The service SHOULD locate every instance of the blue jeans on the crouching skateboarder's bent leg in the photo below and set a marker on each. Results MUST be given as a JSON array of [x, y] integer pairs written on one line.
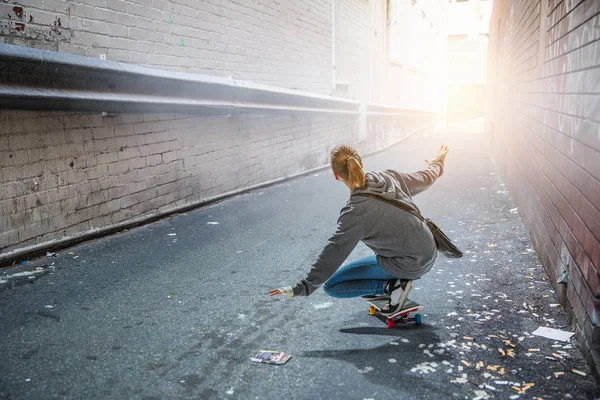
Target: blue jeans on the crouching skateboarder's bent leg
[[358, 278]]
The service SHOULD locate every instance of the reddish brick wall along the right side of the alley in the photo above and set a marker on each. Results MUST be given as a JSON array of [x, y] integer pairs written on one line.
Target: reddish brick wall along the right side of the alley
[[544, 114]]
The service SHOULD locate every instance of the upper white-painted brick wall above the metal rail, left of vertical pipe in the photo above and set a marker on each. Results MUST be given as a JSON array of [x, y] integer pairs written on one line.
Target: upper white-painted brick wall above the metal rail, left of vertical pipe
[[286, 44]]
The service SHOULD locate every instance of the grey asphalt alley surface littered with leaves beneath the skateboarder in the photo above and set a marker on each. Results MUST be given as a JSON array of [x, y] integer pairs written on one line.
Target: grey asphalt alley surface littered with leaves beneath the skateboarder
[[175, 309]]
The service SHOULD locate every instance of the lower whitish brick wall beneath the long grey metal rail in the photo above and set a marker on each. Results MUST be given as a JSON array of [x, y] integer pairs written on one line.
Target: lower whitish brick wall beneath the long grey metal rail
[[60, 179]]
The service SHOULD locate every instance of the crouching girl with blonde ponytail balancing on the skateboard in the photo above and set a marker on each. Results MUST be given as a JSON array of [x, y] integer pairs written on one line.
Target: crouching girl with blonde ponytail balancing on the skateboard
[[404, 247]]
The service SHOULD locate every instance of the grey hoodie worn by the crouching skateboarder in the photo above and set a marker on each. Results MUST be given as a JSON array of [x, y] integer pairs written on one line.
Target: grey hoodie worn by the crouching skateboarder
[[403, 244]]
